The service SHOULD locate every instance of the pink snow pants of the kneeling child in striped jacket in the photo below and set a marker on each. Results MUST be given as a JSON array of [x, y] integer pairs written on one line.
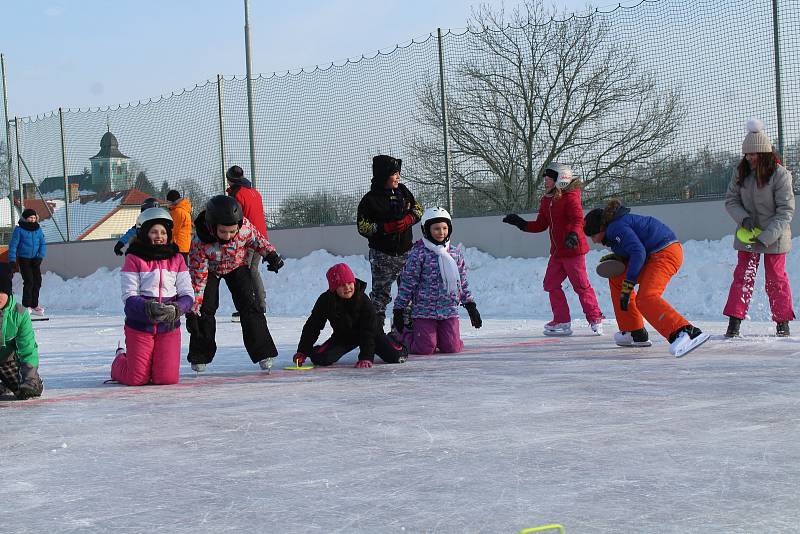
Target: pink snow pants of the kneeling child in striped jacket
[[149, 358]]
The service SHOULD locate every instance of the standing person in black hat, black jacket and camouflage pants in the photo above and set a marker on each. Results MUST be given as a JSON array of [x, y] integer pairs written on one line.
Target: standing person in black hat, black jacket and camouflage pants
[[385, 217]]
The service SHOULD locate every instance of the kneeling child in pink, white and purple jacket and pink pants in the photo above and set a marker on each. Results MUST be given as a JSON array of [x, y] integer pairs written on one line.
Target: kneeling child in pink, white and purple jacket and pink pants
[[157, 291]]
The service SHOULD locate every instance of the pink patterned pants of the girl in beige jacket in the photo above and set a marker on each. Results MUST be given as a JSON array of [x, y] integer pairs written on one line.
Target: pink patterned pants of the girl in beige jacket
[[779, 292]]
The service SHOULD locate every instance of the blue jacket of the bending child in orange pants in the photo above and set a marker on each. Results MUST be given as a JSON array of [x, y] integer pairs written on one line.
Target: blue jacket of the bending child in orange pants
[[635, 237]]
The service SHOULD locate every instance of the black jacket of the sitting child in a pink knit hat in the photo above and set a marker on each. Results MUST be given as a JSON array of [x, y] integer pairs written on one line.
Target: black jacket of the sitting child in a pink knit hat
[[352, 320]]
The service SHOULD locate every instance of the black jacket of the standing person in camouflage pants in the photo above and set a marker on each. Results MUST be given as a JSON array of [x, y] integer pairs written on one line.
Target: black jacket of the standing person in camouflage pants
[[380, 206]]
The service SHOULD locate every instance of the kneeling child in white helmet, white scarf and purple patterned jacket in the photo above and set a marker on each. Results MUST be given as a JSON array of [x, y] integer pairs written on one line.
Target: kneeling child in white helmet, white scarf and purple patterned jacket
[[434, 282]]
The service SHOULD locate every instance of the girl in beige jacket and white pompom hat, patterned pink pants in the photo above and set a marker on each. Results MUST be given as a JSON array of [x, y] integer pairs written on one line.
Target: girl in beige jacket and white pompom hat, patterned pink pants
[[760, 196]]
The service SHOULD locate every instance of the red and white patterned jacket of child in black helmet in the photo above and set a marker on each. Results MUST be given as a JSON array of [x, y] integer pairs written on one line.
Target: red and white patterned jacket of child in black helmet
[[209, 255]]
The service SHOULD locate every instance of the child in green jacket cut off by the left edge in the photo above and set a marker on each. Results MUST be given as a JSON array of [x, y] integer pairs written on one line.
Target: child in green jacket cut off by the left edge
[[19, 353]]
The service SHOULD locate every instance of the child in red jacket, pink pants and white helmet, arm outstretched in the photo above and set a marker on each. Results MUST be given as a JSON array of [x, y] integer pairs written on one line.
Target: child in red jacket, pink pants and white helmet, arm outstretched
[[561, 212]]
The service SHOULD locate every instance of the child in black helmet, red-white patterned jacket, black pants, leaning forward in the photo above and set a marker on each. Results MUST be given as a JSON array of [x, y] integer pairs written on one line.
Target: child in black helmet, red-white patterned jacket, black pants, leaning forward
[[220, 250]]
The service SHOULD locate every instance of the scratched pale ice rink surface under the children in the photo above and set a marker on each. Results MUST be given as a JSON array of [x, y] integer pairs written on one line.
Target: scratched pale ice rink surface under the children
[[518, 430]]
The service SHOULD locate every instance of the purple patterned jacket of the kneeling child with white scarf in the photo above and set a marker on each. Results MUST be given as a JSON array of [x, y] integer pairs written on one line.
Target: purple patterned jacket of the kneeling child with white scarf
[[421, 285]]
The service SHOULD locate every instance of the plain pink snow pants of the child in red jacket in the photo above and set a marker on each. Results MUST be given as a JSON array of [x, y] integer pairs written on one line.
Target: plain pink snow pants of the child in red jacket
[[574, 268]]
